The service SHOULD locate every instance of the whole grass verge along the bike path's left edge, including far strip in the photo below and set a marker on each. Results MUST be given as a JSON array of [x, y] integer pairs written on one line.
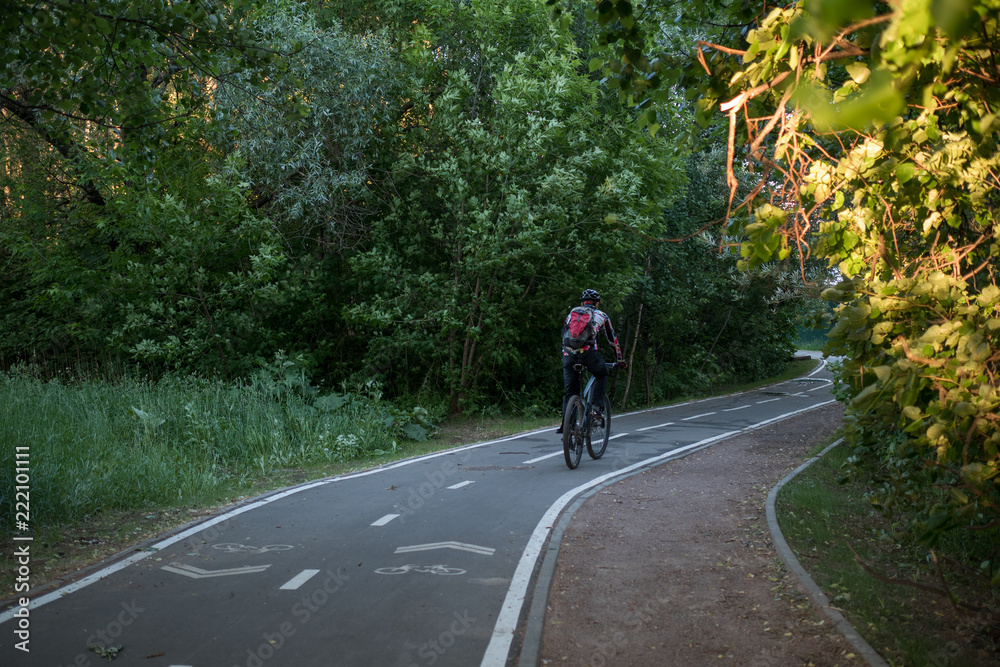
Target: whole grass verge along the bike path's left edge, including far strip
[[113, 465]]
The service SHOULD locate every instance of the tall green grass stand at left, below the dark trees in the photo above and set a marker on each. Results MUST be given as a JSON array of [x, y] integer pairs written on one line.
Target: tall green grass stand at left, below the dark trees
[[98, 445]]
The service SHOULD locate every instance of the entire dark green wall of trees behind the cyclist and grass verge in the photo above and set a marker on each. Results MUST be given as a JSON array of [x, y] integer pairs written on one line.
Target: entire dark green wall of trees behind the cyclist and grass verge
[[409, 206]]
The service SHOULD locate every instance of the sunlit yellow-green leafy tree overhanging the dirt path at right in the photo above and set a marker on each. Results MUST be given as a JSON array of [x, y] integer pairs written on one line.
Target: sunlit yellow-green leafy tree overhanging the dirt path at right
[[880, 122]]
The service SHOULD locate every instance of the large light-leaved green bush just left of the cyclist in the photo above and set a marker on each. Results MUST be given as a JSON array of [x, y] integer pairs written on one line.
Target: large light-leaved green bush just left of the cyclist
[[507, 201]]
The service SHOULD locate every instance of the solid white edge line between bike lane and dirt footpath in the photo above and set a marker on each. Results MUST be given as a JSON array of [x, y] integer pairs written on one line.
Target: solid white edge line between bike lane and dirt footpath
[[506, 625]]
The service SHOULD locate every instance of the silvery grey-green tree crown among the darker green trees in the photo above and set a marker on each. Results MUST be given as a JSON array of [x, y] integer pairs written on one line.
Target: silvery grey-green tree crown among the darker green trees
[[311, 143]]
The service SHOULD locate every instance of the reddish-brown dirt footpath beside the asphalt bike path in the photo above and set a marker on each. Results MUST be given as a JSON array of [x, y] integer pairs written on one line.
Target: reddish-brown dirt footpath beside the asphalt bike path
[[676, 567]]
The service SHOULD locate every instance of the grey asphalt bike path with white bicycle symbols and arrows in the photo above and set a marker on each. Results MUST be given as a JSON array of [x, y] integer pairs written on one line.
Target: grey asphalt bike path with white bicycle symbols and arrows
[[429, 561]]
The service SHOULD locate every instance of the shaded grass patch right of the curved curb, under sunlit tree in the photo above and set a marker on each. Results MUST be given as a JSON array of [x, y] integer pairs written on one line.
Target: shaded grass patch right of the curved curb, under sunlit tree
[[823, 517]]
